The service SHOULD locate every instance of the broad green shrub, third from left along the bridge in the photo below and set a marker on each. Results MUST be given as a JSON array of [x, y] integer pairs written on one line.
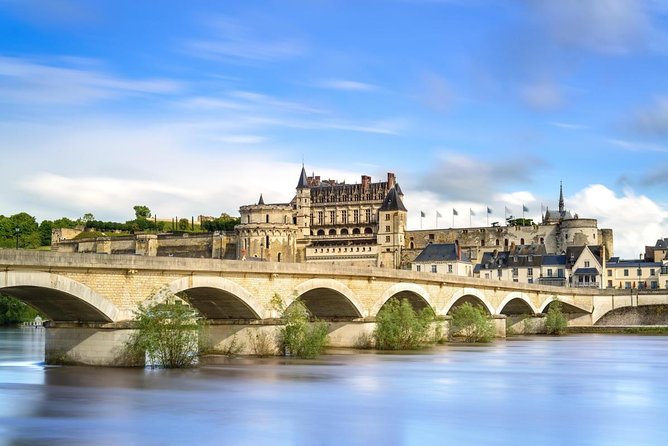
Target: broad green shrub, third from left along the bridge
[[400, 327]]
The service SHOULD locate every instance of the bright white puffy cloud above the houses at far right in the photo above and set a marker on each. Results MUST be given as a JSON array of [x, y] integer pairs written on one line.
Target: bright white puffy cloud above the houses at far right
[[635, 219]]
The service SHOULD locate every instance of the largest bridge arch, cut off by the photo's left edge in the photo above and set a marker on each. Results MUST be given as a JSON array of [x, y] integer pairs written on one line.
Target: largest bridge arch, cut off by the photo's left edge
[[59, 297]]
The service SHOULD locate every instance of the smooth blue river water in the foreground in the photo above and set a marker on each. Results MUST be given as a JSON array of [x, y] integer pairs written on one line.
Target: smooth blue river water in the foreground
[[574, 390]]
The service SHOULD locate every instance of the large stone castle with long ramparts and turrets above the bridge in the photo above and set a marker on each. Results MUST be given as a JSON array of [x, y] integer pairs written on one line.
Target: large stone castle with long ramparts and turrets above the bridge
[[362, 224]]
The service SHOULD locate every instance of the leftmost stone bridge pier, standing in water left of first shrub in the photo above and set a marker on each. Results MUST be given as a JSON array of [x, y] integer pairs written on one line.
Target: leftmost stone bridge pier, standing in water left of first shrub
[[88, 344]]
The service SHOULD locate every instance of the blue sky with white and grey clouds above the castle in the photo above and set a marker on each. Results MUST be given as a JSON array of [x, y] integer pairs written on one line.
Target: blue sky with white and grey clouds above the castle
[[196, 108]]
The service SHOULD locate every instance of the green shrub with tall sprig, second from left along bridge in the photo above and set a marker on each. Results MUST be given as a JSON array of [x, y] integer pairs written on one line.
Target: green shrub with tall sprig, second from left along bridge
[[298, 336]]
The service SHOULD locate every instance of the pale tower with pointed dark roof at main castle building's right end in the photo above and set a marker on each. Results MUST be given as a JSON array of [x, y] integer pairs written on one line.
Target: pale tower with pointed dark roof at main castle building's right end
[[391, 229]]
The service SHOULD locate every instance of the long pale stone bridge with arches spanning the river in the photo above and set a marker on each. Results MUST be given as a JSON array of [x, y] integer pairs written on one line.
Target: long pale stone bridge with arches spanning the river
[[101, 291]]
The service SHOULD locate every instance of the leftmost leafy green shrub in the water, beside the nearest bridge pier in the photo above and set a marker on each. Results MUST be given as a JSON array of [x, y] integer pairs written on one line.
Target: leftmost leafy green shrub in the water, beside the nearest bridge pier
[[167, 334]]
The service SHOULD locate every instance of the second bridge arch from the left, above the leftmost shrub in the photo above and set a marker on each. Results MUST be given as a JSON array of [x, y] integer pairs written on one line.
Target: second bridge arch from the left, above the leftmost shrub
[[216, 297]]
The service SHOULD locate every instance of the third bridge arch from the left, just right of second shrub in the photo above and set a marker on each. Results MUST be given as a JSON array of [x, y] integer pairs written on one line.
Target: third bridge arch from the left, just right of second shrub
[[329, 298]]
